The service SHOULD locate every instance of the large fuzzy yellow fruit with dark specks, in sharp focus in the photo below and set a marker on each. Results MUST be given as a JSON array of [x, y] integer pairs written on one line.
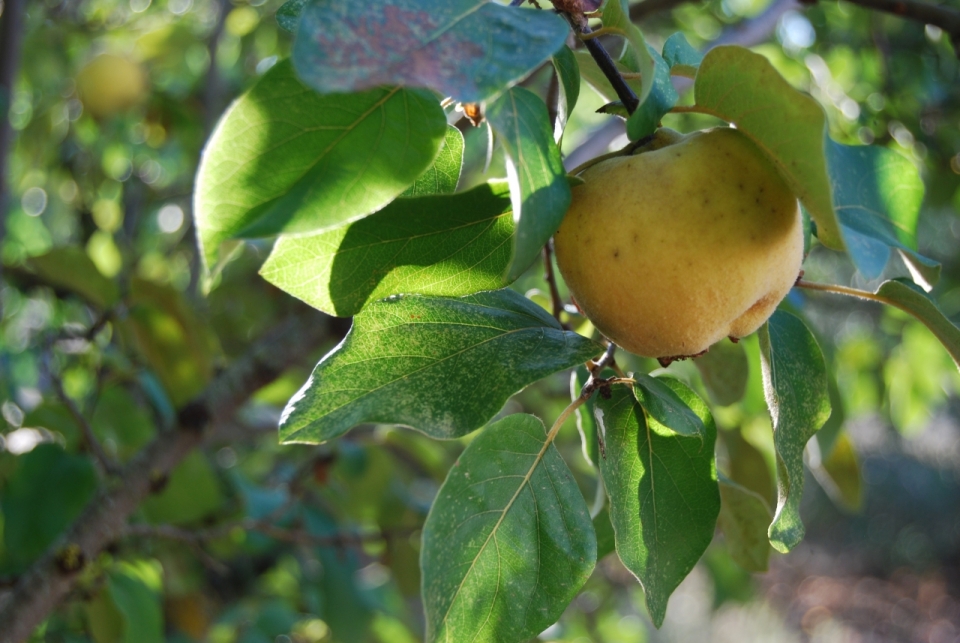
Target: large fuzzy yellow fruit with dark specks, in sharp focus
[[673, 249]]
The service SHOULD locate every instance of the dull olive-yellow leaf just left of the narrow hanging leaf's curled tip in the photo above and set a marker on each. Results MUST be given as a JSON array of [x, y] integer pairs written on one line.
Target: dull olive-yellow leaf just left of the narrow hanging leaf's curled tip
[[744, 518]]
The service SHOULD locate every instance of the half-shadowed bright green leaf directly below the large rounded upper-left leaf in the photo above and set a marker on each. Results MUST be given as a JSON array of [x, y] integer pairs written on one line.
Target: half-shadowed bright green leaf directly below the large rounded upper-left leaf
[[433, 245]]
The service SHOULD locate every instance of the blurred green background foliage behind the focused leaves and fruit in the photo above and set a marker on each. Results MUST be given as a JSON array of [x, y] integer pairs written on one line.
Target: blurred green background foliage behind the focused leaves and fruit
[[249, 541]]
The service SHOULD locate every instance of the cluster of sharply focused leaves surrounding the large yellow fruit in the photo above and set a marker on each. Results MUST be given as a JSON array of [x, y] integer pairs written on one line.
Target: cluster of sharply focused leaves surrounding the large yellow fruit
[[360, 188]]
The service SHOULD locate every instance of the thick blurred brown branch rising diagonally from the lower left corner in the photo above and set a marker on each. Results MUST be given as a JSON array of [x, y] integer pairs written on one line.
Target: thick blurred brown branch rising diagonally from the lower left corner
[[50, 579]]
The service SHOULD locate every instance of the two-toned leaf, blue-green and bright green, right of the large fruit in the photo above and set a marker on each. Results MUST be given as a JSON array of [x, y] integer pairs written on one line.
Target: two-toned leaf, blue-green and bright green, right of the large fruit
[[877, 195]]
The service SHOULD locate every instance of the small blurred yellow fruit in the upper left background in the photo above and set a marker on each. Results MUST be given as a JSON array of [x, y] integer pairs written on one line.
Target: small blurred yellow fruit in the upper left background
[[110, 84]]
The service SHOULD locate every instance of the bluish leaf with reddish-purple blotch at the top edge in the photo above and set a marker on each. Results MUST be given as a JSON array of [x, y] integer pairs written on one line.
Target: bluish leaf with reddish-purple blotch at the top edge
[[453, 46]]
